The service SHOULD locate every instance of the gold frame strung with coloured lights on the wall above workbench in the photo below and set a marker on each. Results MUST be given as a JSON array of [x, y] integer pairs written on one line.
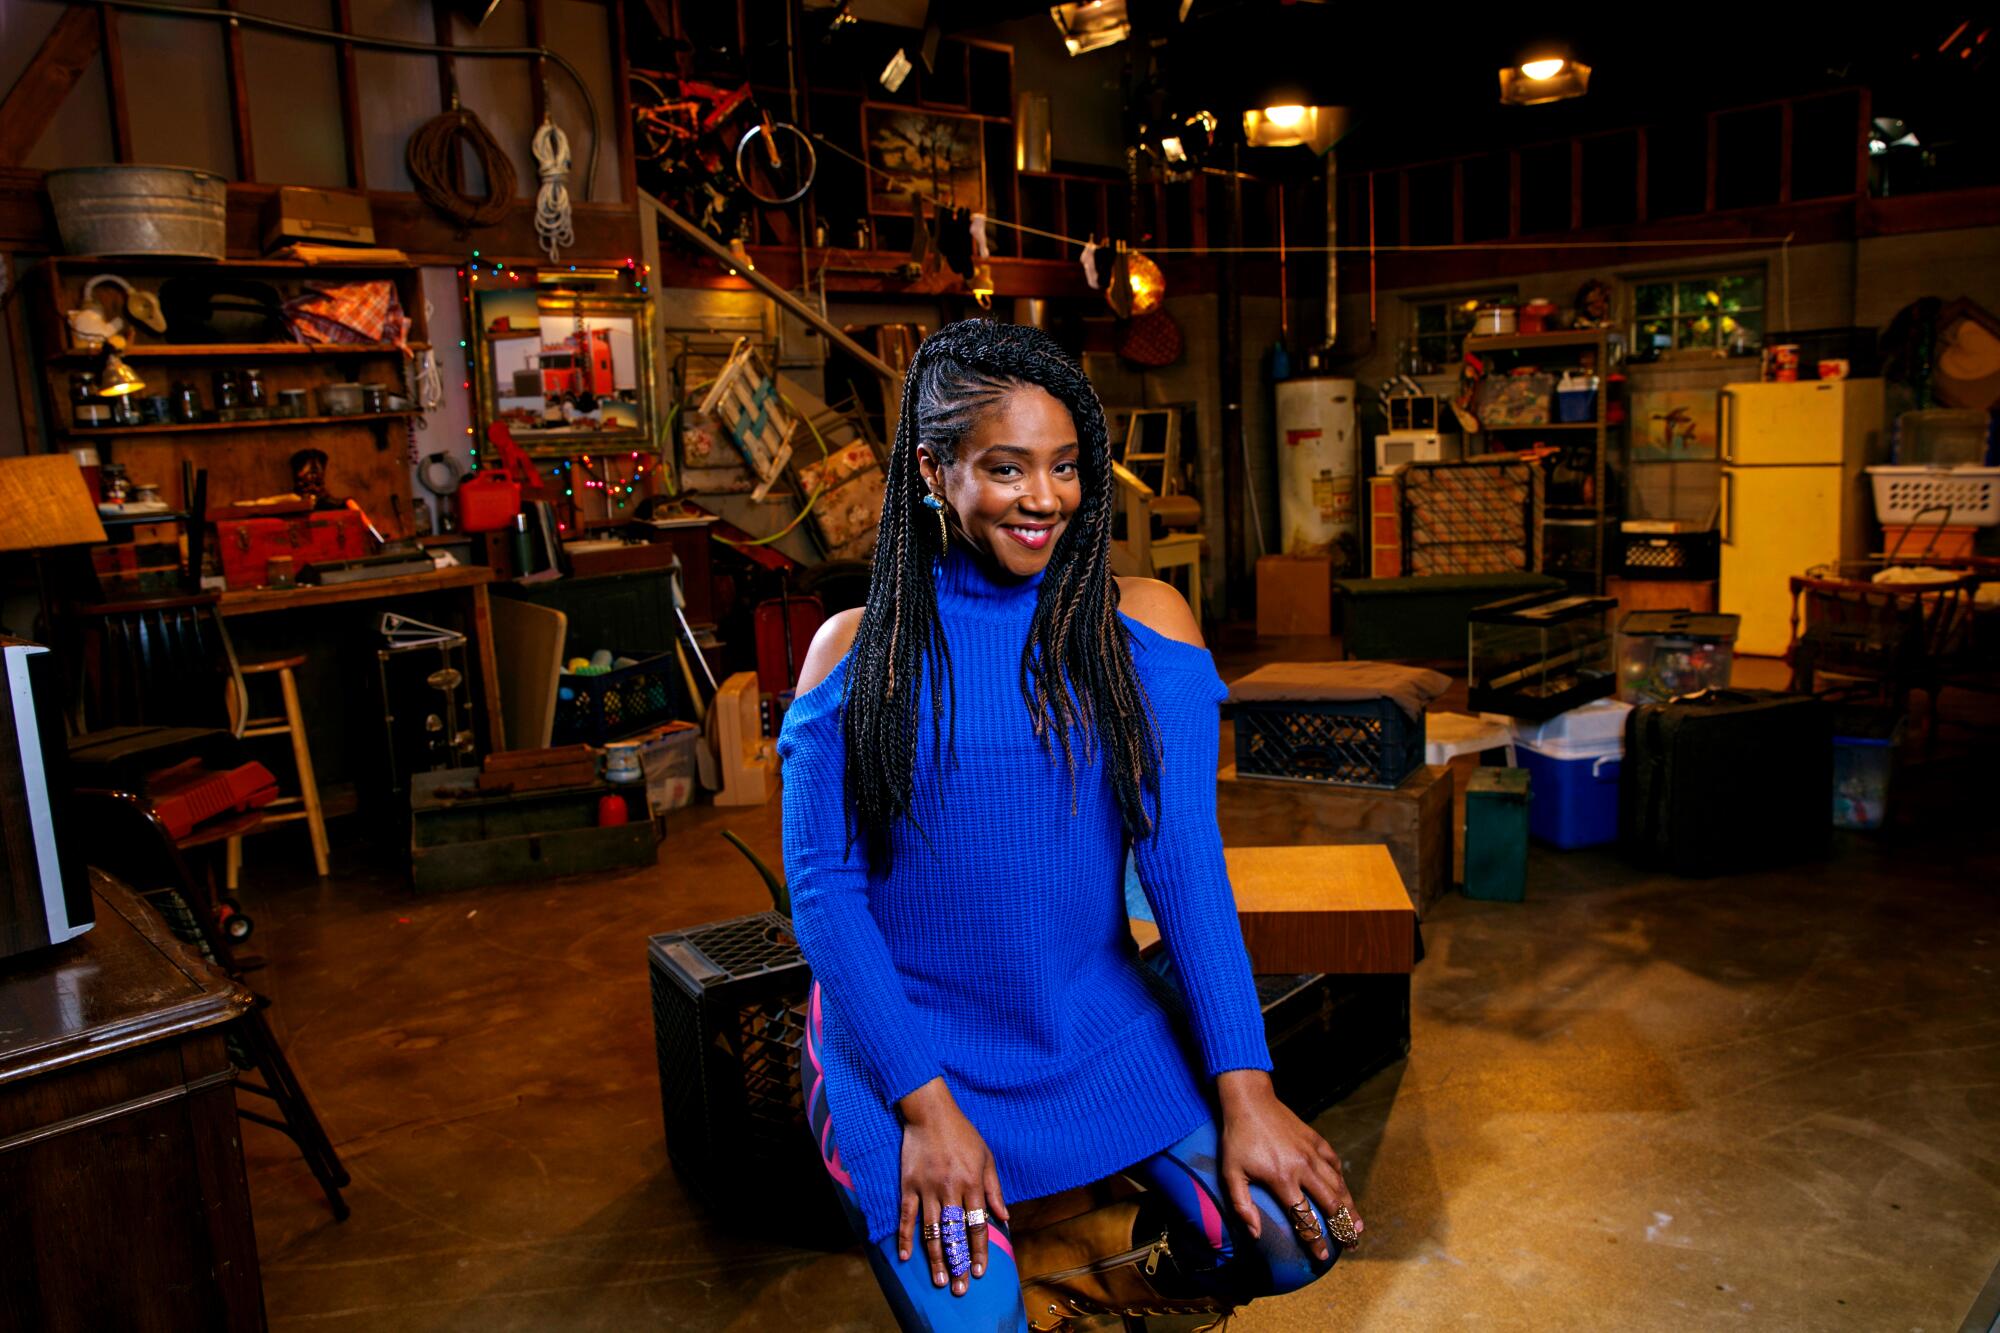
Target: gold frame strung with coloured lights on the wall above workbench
[[569, 373]]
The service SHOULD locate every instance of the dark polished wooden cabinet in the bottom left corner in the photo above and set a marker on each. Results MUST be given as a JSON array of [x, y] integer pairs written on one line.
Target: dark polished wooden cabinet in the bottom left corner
[[123, 1194]]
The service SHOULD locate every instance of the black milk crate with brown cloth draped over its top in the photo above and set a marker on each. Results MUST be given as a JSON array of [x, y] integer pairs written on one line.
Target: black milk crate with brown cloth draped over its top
[[1347, 744]]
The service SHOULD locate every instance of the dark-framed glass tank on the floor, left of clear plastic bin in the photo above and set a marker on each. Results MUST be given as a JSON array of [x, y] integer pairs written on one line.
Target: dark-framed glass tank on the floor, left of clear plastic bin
[[1541, 655]]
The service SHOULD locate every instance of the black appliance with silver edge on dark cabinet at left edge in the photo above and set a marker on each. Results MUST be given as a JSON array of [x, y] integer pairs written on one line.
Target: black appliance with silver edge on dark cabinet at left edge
[[45, 890]]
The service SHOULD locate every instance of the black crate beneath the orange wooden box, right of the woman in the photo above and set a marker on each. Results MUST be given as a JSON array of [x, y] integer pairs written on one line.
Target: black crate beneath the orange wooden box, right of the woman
[[1329, 1034]]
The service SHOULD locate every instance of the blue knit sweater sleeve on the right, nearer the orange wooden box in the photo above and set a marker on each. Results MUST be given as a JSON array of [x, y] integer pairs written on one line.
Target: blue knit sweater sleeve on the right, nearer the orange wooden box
[[1183, 872]]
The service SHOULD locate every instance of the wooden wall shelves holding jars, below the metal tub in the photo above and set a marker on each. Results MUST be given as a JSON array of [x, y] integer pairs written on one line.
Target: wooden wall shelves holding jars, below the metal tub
[[245, 459]]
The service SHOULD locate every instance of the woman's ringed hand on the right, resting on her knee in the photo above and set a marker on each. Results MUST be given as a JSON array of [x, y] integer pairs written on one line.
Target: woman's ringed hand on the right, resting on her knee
[[1263, 1142]]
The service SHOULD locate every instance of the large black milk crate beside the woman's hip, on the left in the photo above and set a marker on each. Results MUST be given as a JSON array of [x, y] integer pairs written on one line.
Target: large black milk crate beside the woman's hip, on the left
[[729, 1014]]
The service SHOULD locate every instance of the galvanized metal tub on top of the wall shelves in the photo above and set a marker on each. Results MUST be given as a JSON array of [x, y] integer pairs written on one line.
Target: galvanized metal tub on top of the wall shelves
[[139, 211]]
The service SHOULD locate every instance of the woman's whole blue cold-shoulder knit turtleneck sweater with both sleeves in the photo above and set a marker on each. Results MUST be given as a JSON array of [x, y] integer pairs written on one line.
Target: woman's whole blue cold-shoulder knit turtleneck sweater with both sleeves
[[997, 954]]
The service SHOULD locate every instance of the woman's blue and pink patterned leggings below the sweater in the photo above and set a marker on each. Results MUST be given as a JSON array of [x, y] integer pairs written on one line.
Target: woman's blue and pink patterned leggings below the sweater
[[1185, 1196]]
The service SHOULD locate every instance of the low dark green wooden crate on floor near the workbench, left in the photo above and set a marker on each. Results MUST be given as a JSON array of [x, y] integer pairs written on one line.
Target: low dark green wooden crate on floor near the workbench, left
[[465, 842]]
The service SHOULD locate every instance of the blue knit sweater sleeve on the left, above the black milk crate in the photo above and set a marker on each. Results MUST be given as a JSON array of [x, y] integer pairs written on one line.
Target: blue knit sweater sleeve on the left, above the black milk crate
[[829, 886]]
